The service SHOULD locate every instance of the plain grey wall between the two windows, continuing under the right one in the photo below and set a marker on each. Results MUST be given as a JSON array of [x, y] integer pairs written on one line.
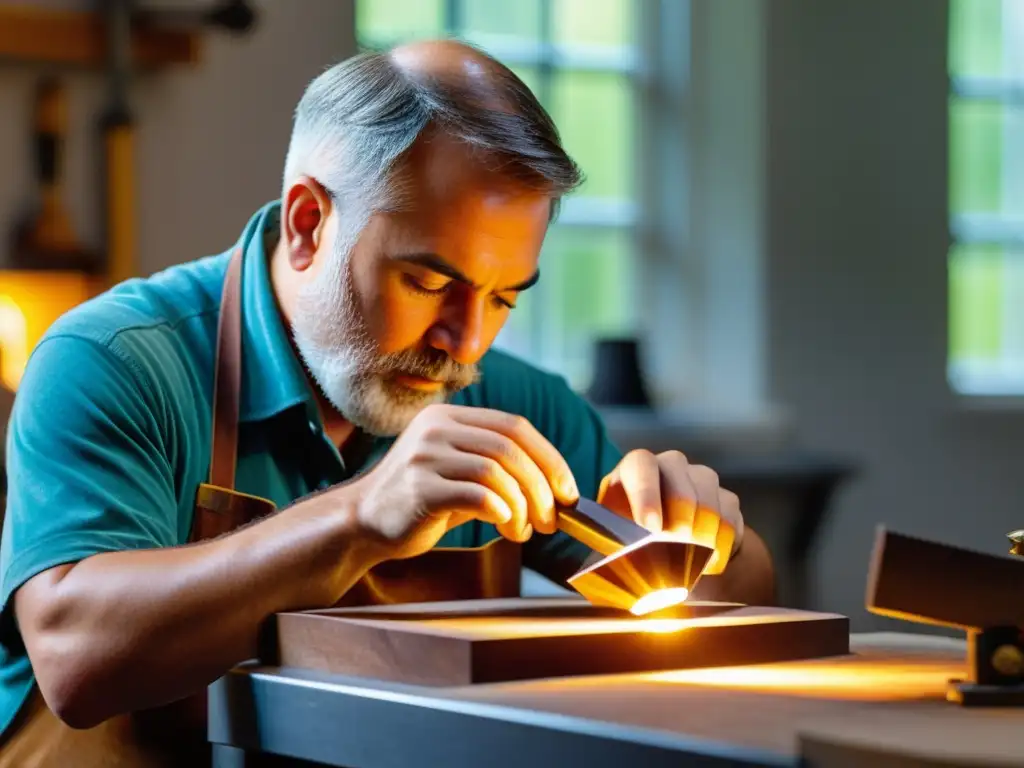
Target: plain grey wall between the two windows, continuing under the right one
[[858, 238]]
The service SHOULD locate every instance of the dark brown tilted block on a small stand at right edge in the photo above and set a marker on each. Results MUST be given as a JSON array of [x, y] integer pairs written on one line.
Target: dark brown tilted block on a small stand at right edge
[[940, 584]]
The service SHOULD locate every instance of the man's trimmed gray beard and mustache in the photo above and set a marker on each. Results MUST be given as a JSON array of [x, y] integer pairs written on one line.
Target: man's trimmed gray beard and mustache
[[342, 356]]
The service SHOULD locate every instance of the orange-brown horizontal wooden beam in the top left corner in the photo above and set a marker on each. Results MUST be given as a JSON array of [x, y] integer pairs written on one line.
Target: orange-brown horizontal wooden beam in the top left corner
[[79, 39]]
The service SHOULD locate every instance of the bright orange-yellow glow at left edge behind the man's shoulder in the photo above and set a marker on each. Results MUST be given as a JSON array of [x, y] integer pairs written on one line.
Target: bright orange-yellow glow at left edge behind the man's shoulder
[[30, 303]]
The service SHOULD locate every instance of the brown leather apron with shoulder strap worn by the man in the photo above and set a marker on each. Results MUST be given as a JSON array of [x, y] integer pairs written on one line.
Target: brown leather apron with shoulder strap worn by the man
[[176, 736]]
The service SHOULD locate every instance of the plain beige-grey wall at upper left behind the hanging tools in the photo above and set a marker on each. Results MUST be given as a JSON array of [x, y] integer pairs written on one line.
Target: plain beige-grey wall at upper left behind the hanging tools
[[211, 142]]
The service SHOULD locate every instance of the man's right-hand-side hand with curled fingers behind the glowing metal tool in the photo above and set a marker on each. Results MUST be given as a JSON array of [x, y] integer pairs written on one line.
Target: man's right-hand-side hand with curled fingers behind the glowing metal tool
[[667, 493]]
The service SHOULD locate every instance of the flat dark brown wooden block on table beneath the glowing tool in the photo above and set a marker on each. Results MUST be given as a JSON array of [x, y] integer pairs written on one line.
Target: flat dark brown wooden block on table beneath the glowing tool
[[487, 642]]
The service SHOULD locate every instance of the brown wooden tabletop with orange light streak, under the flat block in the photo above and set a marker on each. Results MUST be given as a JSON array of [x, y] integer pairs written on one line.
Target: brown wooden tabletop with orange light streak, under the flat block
[[884, 705]]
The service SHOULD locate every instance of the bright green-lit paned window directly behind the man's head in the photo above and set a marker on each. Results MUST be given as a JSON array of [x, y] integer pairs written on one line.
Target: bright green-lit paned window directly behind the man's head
[[580, 59]]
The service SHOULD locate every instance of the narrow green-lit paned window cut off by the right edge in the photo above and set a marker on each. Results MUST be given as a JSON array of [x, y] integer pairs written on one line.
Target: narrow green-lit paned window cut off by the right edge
[[987, 197]]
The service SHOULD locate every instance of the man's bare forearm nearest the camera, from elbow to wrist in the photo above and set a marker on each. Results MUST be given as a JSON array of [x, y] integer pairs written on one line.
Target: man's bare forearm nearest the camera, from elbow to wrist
[[123, 631]]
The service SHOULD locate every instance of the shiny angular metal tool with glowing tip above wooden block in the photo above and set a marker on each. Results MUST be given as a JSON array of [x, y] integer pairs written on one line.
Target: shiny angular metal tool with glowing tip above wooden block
[[642, 572]]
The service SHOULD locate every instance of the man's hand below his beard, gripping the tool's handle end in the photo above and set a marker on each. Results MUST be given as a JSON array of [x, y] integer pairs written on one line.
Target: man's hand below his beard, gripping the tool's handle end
[[454, 464]]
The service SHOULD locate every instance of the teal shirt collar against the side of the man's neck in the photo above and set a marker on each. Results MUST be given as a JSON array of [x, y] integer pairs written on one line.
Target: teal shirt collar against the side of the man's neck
[[274, 380]]
